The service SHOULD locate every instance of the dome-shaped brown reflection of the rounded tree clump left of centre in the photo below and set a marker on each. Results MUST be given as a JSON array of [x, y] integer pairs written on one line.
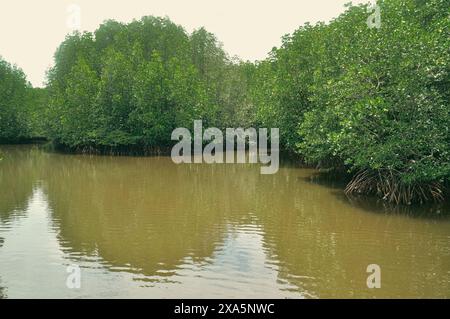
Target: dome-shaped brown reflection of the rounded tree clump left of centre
[[143, 214]]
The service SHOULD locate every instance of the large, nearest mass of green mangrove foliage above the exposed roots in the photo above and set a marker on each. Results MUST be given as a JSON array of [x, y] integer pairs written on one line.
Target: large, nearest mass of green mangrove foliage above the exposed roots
[[369, 99]]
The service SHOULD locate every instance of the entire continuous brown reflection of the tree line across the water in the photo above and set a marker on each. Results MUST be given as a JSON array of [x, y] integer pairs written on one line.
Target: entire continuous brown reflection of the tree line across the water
[[148, 215]]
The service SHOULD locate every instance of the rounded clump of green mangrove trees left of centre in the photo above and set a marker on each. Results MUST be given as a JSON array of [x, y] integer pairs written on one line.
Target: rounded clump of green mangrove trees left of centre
[[131, 85]]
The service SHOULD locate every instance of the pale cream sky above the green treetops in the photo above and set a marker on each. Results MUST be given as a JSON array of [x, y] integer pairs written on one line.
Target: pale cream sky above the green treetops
[[31, 30]]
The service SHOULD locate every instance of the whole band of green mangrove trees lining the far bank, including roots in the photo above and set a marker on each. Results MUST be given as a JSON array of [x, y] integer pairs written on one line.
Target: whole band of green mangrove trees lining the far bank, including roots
[[374, 102]]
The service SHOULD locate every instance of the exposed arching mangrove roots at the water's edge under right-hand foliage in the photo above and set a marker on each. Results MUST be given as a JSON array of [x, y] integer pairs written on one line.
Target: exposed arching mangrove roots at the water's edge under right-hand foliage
[[388, 185]]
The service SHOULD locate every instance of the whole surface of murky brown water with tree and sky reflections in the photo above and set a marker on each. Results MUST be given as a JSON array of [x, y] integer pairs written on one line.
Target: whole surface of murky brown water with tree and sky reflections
[[147, 228]]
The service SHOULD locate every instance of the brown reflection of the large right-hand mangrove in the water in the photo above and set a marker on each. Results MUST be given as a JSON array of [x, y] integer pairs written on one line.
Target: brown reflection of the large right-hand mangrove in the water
[[324, 245]]
